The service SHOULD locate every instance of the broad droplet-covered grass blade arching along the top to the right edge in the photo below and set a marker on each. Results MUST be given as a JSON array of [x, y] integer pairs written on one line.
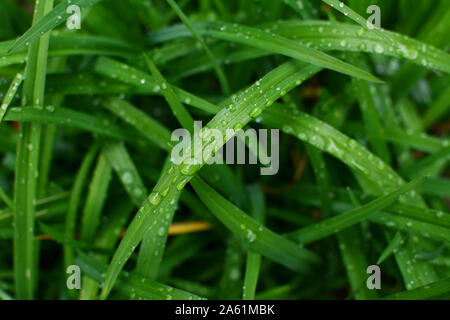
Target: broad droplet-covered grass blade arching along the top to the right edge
[[338, 36]]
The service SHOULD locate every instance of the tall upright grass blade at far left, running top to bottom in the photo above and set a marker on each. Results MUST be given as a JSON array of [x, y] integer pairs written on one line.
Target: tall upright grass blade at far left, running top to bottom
[[27, 166]]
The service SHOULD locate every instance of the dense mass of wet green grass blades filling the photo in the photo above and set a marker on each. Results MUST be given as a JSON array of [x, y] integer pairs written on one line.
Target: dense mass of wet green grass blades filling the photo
[[86, 179]]
